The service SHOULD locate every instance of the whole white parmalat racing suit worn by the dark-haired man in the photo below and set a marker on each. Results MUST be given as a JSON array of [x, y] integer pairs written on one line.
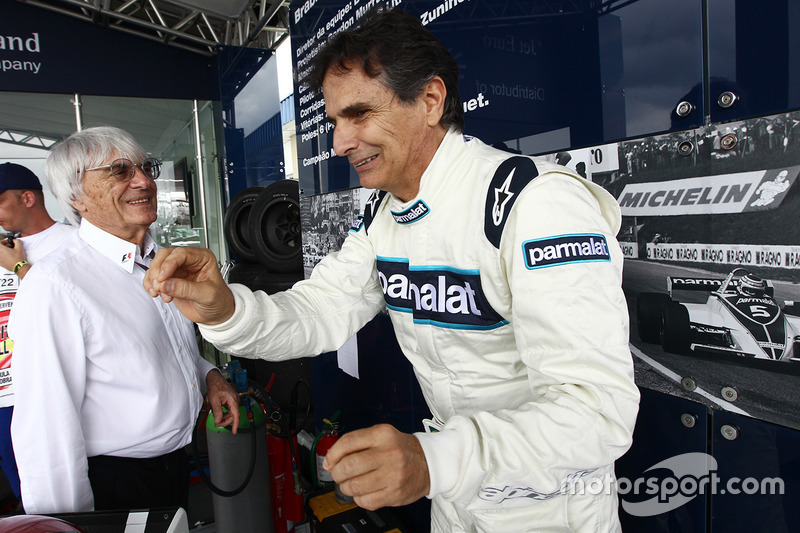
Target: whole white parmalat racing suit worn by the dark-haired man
[[503, 282]]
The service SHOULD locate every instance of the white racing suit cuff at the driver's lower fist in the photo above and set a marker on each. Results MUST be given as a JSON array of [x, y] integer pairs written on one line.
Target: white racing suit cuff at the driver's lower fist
[[443, 452]]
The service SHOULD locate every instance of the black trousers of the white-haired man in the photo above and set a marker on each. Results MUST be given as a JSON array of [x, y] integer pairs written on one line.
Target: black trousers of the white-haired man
[[125, 483]]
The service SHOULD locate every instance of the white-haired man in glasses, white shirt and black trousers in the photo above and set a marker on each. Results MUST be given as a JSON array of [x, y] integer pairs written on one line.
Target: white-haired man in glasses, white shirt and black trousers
[[109, 386]]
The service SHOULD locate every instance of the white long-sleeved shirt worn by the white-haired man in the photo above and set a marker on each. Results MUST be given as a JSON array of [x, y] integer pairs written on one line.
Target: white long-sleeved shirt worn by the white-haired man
[[100, 368]]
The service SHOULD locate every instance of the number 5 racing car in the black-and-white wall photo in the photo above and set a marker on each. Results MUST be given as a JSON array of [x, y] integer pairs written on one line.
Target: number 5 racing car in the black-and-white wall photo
[[740, 317]]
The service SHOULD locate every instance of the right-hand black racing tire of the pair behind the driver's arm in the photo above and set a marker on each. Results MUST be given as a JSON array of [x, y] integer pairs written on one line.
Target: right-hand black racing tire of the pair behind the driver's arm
[[275, 226]]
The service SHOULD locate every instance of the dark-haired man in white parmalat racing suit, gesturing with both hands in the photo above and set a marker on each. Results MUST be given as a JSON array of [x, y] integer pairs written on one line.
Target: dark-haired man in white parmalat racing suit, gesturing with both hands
[[502, 277]]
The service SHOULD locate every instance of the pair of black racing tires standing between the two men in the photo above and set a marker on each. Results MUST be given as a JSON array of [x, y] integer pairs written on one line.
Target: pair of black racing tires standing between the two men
[[262, 229]]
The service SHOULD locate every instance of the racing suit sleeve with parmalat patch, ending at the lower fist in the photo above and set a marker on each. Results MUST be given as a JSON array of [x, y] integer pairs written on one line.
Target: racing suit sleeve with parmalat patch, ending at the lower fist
[[570, 324]]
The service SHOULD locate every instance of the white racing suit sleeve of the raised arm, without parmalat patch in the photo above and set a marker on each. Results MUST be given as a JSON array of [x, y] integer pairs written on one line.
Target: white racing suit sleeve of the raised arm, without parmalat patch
[[317, 315]]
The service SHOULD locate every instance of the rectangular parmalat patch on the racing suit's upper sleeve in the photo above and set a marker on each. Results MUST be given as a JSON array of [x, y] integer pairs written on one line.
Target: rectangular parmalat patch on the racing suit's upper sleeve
[[562, 249]]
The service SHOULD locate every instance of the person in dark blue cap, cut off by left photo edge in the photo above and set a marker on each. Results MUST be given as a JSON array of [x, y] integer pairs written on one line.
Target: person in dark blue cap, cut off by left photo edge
[[31, 235]]
